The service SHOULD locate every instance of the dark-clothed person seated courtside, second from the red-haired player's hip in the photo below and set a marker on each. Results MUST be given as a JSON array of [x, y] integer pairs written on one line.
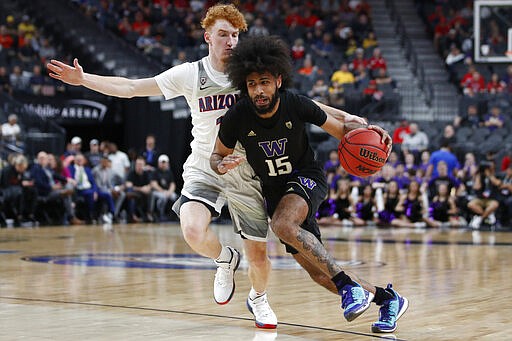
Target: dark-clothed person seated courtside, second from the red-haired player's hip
[[138, 192]]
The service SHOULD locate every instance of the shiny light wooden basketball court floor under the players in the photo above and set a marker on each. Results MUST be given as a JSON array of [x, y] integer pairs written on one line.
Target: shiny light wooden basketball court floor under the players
[[142, 282]]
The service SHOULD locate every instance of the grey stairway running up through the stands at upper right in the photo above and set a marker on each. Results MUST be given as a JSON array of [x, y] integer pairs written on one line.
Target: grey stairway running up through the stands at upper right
[[426, 92]]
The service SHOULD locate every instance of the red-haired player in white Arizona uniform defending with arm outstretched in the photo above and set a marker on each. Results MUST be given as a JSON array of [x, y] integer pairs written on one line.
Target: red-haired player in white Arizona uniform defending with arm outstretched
[[209, 95]]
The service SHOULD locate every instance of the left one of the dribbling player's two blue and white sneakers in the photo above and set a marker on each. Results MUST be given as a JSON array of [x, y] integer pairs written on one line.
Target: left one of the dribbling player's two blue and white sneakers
[[355, 300]]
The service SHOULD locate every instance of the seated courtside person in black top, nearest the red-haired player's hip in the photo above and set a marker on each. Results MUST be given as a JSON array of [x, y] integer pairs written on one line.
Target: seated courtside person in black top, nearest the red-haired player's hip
[[163, 187]]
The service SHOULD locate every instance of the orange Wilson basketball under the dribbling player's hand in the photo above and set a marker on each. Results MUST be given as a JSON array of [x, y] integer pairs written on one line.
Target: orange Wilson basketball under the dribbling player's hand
[[362, 153]]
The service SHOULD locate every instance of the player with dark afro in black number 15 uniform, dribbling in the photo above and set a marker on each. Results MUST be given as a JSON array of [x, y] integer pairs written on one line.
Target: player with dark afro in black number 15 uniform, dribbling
[[270, 123]]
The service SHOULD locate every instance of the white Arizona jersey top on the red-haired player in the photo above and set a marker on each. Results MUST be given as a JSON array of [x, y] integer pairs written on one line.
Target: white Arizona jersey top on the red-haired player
[[209, 95]]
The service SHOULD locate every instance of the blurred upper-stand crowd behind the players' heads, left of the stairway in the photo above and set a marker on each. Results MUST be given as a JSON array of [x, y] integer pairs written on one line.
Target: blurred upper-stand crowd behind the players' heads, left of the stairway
[[323, 37]]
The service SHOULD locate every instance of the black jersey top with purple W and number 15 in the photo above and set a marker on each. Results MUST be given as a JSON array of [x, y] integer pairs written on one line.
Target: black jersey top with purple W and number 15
[[277, 146]]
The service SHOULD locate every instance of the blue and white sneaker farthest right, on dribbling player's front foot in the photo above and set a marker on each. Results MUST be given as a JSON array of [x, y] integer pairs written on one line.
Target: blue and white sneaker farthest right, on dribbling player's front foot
[[390, 311]]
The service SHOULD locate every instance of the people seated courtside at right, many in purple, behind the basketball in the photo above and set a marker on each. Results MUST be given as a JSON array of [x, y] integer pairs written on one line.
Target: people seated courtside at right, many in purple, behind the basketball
[[424, 184]]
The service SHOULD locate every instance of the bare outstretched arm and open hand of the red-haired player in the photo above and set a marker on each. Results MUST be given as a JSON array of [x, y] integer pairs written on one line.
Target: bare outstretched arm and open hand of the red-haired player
[[107, 85]]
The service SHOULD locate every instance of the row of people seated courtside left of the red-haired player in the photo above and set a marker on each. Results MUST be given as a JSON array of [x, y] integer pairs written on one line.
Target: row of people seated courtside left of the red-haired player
[[98, 185]]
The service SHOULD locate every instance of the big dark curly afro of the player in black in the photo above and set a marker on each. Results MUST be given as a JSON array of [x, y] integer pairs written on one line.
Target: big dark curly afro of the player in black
[[259, 54]]
